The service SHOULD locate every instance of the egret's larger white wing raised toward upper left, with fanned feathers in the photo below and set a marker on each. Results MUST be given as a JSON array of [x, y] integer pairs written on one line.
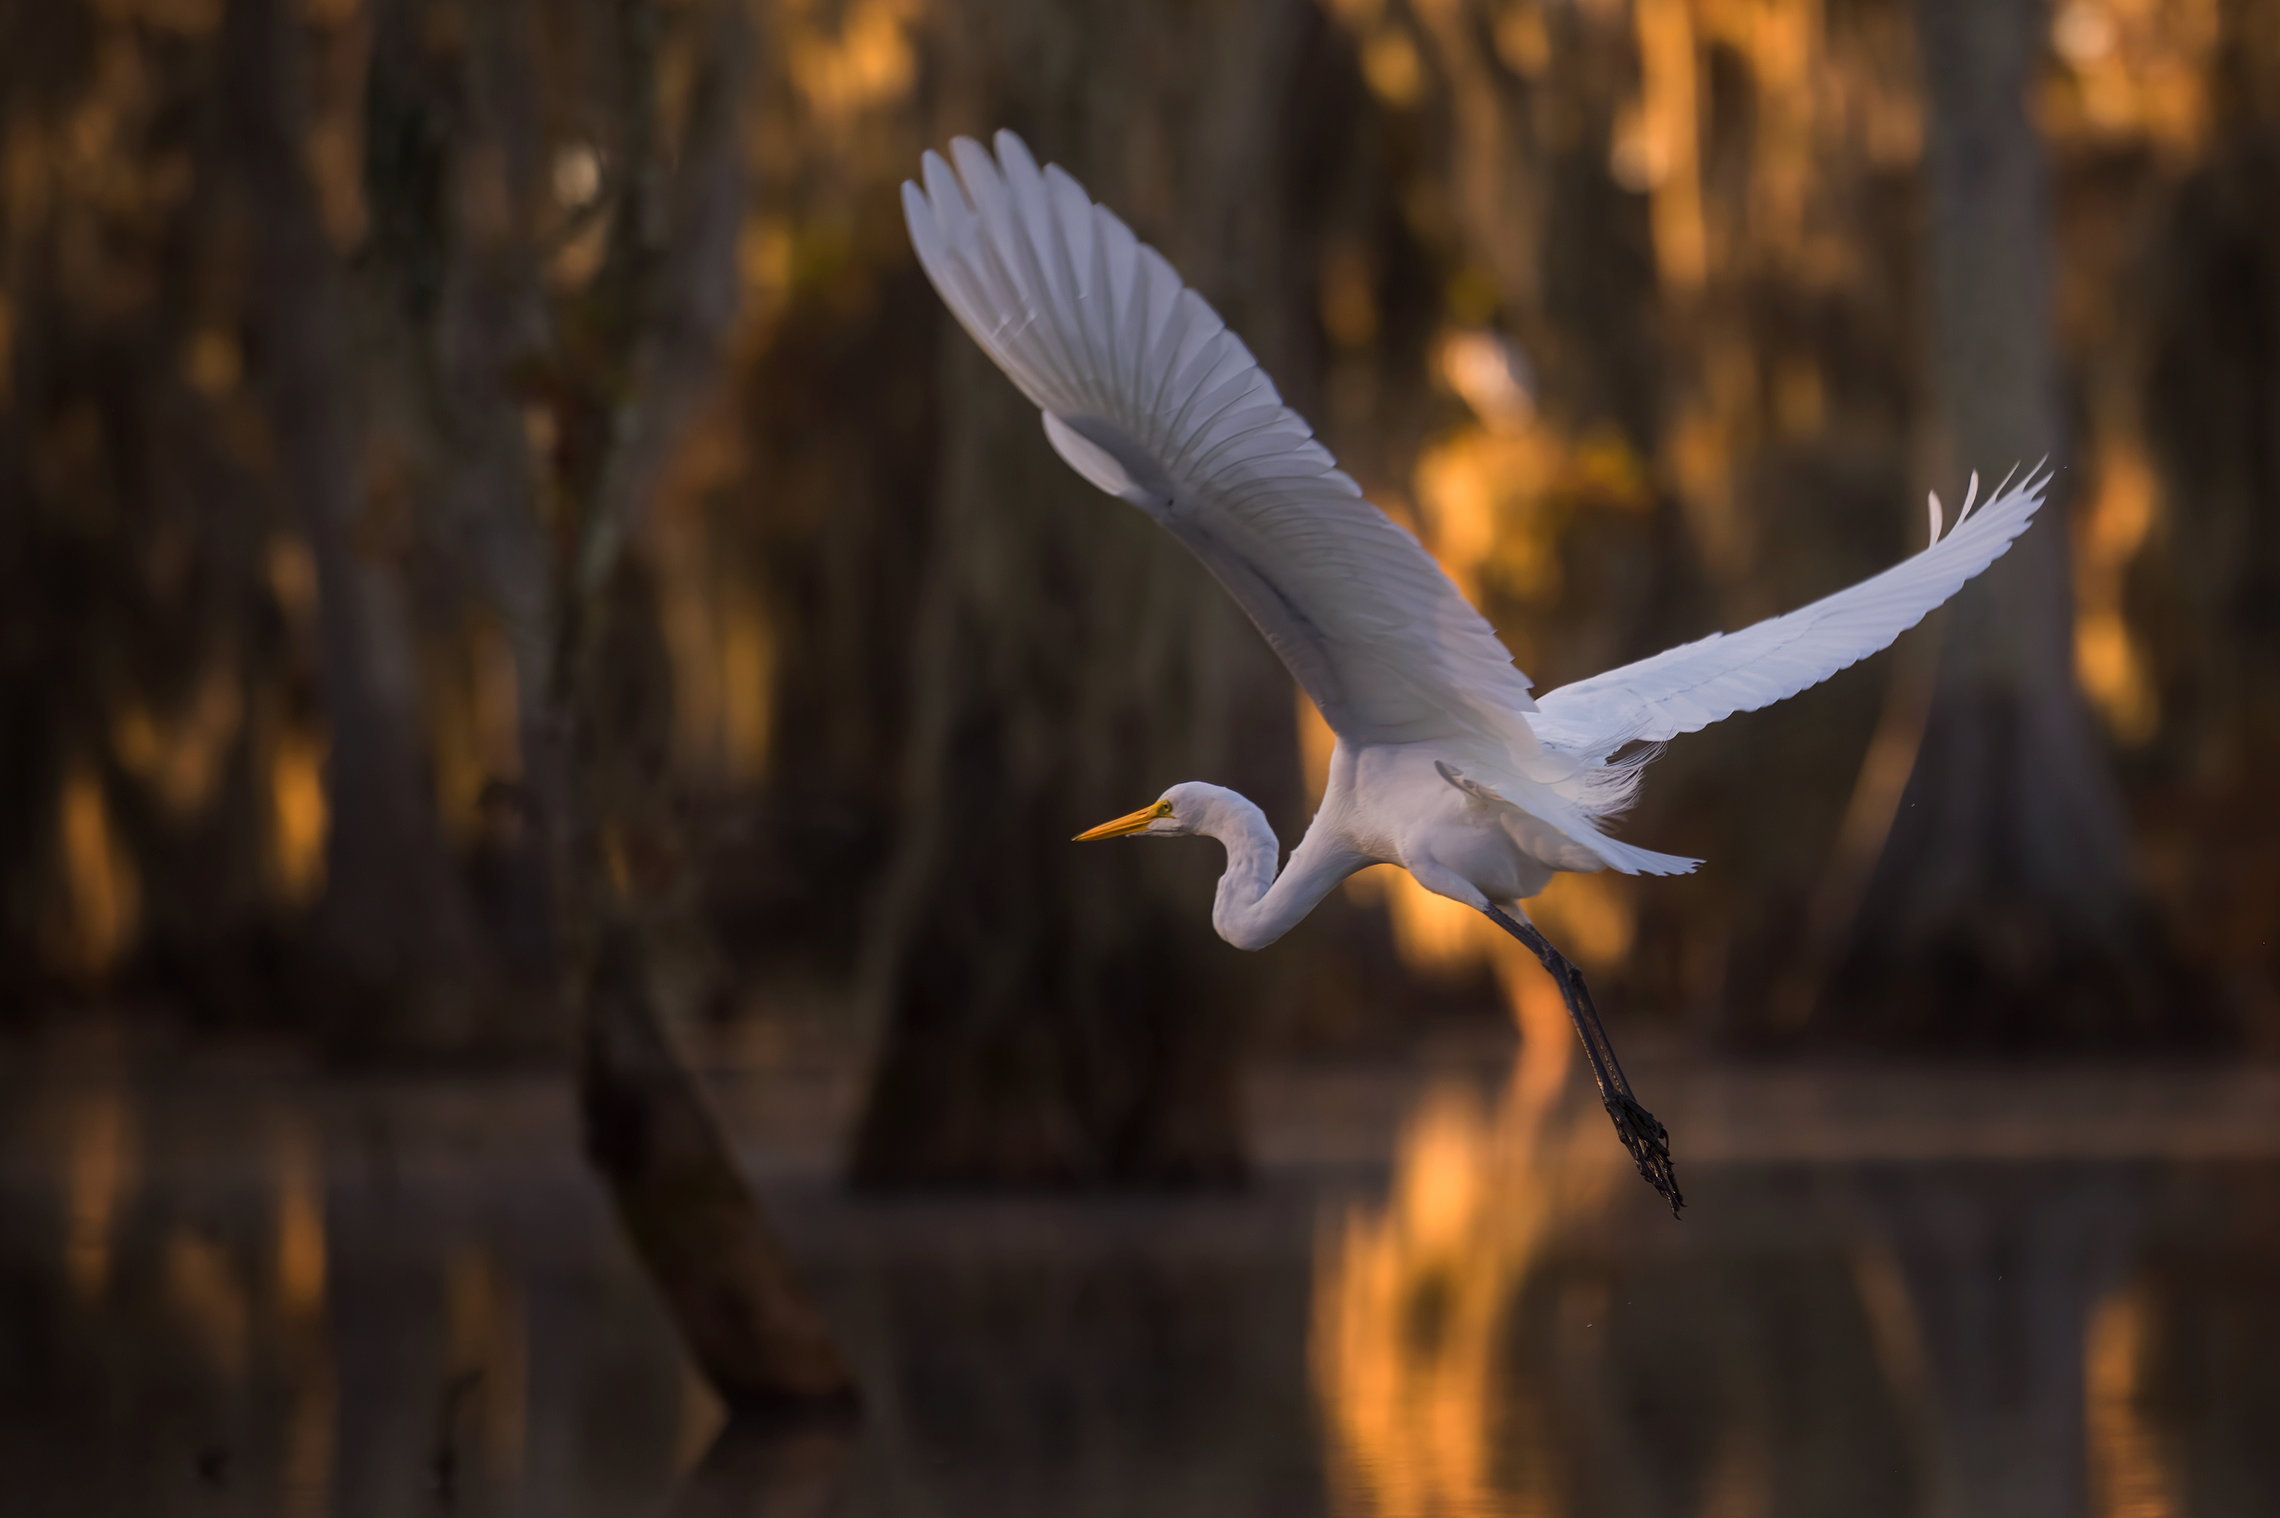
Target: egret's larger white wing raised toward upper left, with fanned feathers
[[1150, 398]]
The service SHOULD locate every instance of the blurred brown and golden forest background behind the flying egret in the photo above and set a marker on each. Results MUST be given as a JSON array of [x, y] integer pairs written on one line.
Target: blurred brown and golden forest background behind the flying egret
[[487, 489]]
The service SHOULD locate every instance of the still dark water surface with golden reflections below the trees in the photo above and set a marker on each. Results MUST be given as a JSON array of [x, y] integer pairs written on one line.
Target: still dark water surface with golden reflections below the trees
[[245, 1289]]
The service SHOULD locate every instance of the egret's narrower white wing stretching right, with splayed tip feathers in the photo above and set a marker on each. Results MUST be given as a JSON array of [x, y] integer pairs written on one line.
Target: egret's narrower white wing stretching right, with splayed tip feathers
[[1700, 683]]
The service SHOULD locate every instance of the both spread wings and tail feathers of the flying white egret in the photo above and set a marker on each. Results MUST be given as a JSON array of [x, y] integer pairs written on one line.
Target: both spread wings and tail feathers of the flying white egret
[[1150, 398]]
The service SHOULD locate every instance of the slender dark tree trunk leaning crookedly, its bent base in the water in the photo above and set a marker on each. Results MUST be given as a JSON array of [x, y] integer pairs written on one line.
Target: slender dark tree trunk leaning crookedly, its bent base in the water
[[633, 354]]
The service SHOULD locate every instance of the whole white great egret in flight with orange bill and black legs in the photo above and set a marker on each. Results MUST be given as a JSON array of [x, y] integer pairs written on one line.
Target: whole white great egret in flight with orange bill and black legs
[[1444, 765]]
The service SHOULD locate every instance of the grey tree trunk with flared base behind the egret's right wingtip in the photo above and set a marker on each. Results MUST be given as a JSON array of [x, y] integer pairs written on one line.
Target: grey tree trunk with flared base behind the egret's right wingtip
[[2003, 908]]
